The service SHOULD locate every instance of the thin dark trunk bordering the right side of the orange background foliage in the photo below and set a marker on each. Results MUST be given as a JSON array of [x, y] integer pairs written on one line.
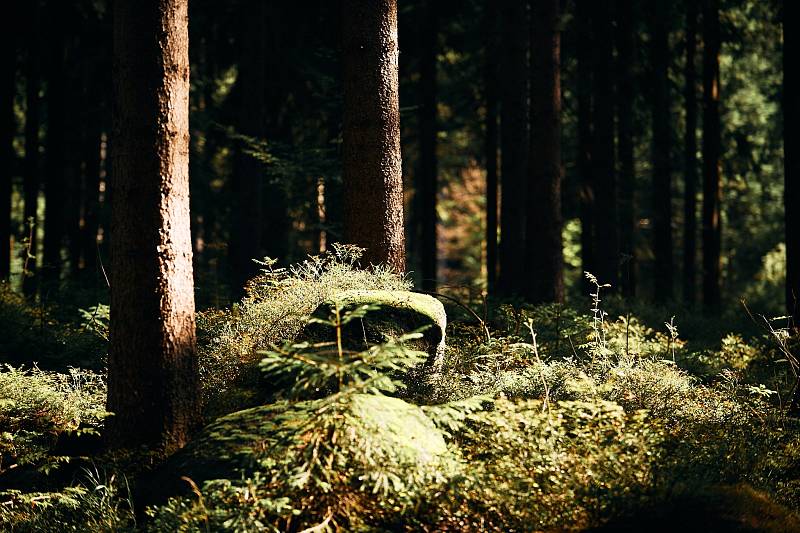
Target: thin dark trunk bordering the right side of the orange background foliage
[[490, 147]]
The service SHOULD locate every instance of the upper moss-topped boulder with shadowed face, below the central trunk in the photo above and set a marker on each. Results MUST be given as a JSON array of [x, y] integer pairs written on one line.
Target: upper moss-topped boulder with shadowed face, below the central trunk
[[398, 313]]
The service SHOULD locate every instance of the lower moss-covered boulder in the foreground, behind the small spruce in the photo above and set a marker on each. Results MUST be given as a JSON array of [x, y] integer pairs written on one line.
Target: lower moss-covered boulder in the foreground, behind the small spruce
[[375, 433]]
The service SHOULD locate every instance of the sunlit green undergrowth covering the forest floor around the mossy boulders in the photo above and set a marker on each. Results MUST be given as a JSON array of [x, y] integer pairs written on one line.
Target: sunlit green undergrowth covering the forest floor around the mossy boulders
[[560, 419]]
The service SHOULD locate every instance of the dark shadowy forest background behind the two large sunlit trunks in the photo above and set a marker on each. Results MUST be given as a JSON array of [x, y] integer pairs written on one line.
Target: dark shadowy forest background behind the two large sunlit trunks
[[266, 120]]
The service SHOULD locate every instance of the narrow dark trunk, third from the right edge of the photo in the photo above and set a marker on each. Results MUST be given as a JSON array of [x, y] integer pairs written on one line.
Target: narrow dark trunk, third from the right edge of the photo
[[690, 160]]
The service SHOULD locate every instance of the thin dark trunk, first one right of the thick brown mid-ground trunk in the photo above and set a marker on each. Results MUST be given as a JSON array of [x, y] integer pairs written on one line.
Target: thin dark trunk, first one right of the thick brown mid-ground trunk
[[583, 14]]
